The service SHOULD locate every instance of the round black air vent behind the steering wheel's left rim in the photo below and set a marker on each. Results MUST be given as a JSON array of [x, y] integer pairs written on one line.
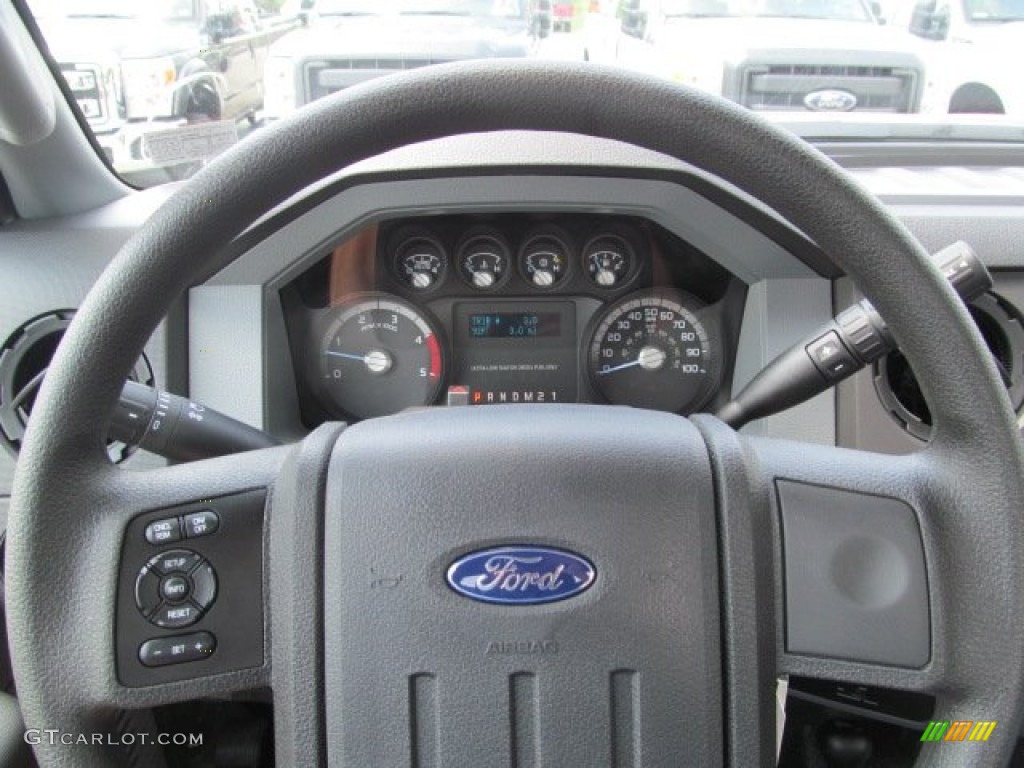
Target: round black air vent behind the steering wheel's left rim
[[24, 360]]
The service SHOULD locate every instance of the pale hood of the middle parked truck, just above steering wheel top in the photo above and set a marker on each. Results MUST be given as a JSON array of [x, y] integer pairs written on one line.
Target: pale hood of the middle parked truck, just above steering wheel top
[[406, 37]]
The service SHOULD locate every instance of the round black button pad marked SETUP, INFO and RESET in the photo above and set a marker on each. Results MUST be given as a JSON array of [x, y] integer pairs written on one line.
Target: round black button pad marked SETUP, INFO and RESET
[[176, 589]]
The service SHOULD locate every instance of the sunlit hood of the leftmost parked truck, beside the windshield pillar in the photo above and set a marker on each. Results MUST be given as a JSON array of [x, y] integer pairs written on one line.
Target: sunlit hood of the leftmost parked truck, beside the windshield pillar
[[73, 40]]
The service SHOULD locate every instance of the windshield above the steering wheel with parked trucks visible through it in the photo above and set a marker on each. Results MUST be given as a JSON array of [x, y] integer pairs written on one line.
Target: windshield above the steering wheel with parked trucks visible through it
[[165, 98]]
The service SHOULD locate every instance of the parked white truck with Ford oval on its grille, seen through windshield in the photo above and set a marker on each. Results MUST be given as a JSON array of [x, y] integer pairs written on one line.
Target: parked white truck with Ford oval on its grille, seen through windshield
[[820, 56]]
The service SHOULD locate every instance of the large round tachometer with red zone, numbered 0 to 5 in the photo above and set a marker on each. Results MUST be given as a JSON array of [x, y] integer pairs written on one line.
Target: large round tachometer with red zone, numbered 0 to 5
[[380, 356]]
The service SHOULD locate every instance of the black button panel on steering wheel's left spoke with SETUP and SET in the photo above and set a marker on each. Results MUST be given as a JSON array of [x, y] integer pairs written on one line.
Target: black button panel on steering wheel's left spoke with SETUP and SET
[[191, 599]]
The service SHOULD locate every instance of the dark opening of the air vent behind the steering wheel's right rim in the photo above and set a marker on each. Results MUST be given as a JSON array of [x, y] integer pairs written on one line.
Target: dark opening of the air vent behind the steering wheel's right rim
[[1001, 327]]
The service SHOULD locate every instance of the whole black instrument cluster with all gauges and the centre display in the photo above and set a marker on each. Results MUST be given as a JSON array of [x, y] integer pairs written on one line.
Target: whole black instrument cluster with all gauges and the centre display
[[475, 310]]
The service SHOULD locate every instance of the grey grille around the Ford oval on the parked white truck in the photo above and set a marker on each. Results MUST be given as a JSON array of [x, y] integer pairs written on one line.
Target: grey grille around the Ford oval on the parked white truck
[[784, 88]]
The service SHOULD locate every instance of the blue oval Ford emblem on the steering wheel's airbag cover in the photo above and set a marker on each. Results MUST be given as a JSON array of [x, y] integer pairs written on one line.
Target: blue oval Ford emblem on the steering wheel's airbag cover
[[521, 576]]
